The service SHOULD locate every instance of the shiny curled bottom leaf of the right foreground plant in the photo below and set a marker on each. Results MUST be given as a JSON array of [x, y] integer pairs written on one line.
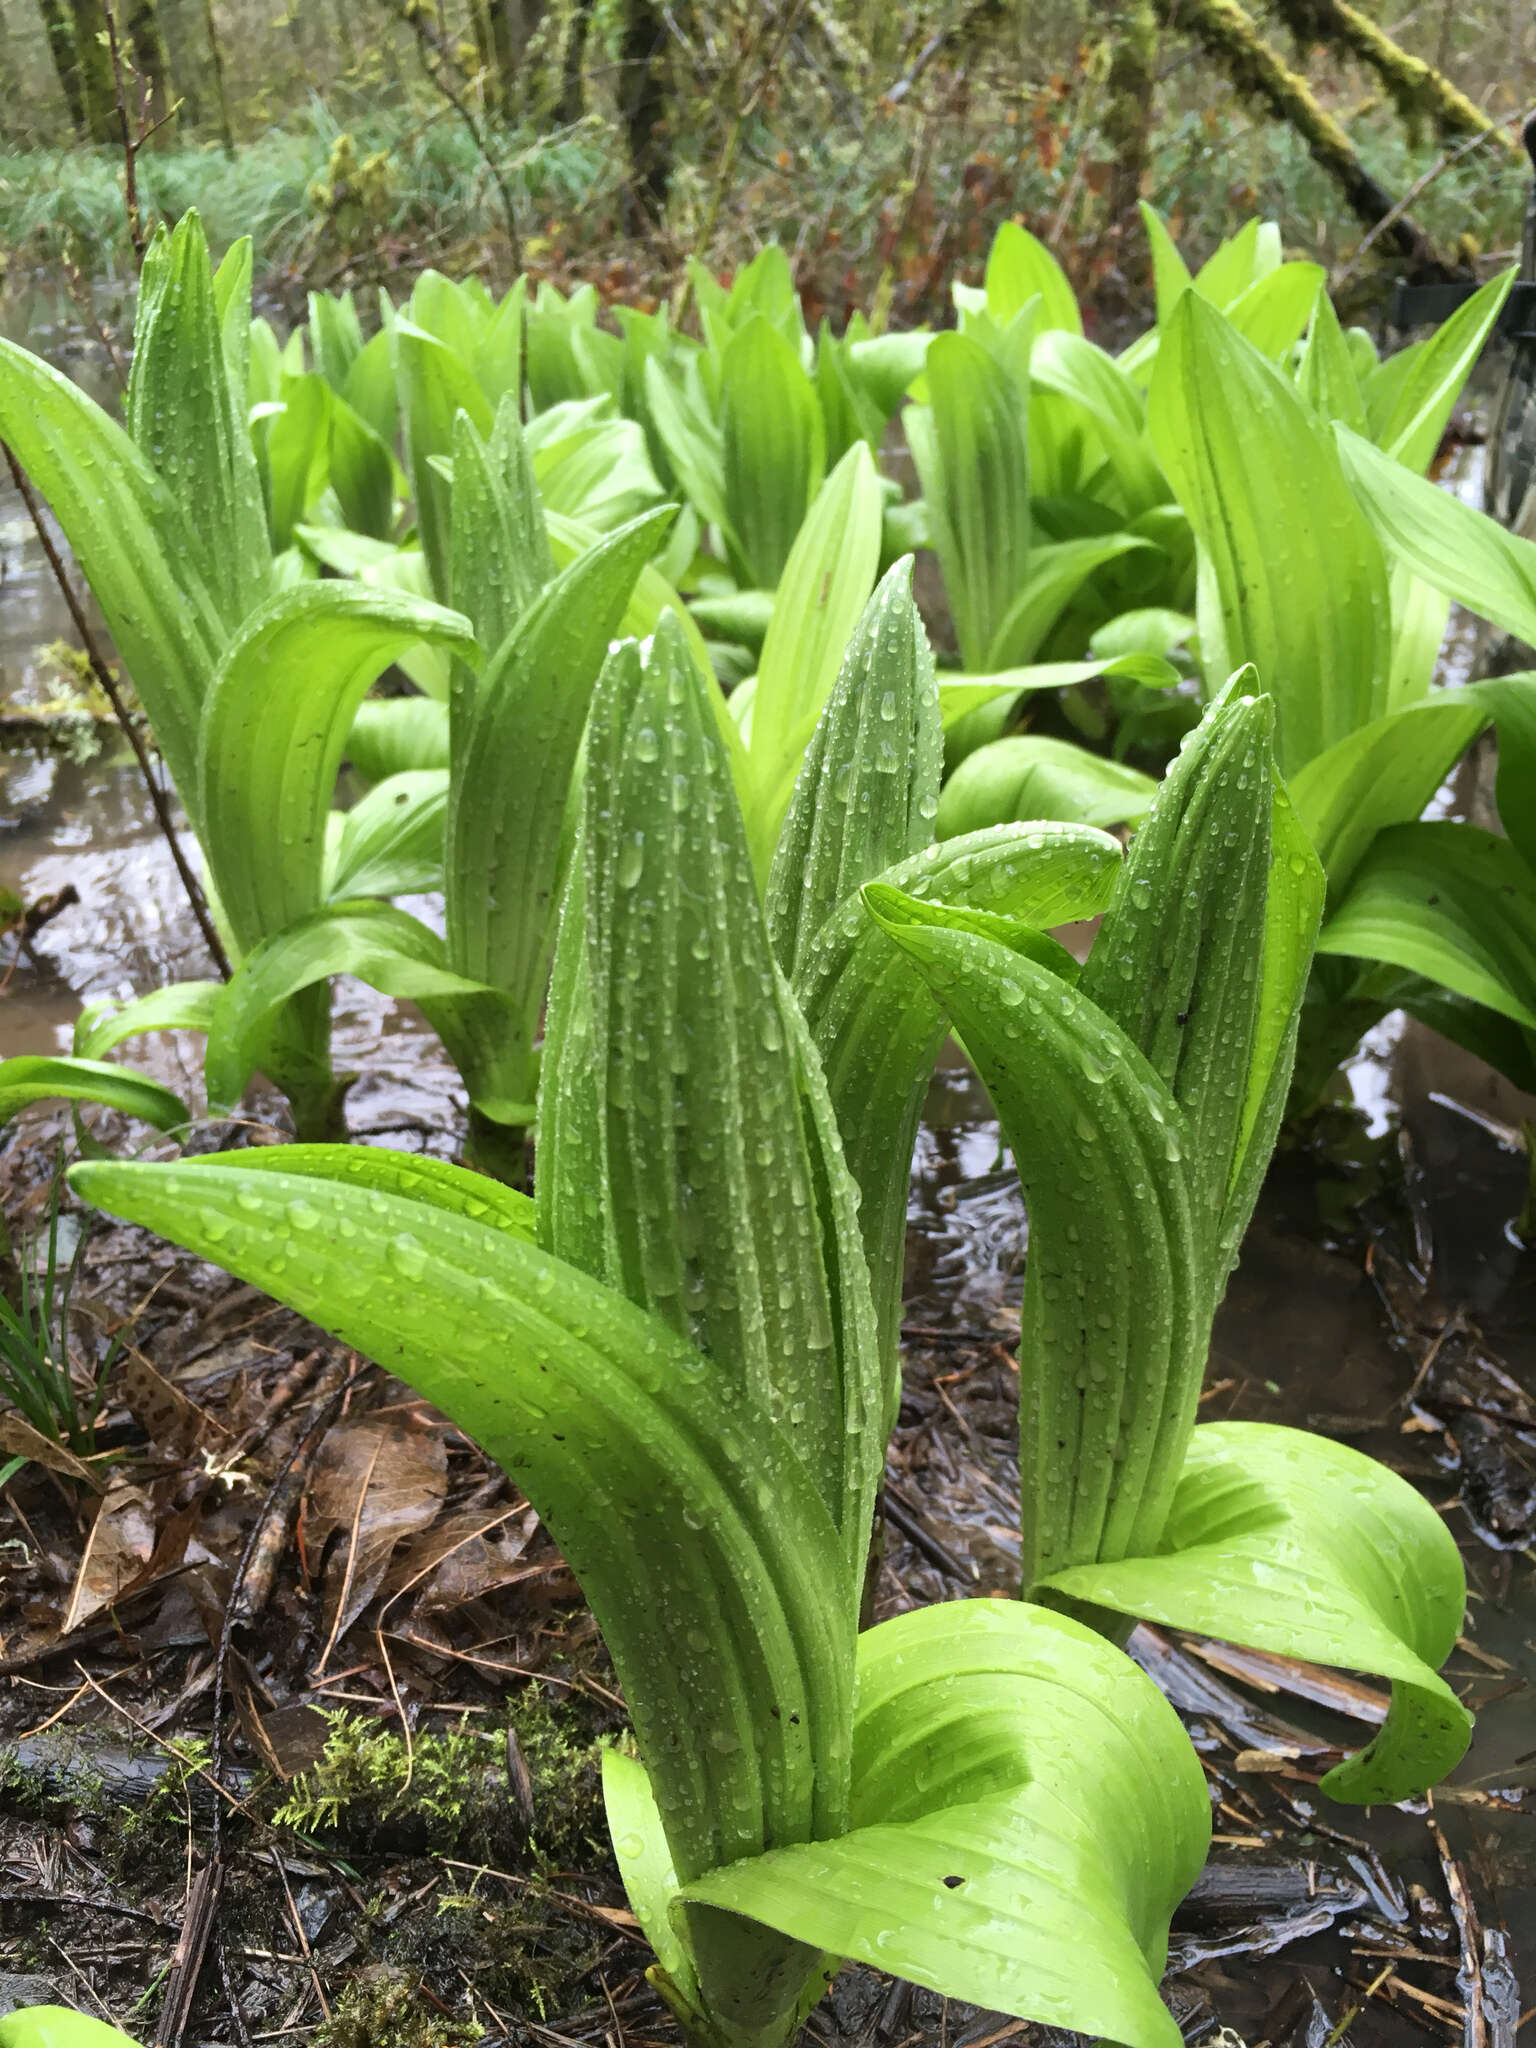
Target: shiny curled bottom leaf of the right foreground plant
[[1295, 1545]]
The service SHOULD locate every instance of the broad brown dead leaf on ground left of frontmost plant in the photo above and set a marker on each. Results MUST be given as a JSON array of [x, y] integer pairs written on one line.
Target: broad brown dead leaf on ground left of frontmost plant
[[378, 1482]]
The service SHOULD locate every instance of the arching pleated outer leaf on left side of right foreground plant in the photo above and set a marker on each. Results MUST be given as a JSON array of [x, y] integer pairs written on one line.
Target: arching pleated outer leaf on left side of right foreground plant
[[1117, 1299]]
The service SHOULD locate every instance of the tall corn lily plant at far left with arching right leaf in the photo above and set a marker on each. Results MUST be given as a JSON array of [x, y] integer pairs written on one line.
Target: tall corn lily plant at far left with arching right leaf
[[249, 677]]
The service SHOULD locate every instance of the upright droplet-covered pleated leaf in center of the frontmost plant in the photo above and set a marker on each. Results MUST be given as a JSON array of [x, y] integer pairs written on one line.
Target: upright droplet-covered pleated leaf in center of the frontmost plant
[[681, 1150]]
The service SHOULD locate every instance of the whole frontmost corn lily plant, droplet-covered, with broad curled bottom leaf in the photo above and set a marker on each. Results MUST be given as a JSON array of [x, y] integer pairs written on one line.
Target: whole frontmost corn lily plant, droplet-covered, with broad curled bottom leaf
[[675, 1347]]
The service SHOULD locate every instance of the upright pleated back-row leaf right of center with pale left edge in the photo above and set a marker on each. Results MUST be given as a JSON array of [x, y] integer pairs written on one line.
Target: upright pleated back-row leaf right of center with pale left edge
[[972, 458]]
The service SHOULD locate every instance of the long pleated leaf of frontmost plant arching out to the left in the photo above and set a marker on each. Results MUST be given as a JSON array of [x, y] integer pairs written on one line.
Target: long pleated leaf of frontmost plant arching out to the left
[[712, 1566]]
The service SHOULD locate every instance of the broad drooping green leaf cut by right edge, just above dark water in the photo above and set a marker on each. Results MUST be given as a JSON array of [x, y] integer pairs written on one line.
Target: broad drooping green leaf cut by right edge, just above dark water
[[1449, 902]]
